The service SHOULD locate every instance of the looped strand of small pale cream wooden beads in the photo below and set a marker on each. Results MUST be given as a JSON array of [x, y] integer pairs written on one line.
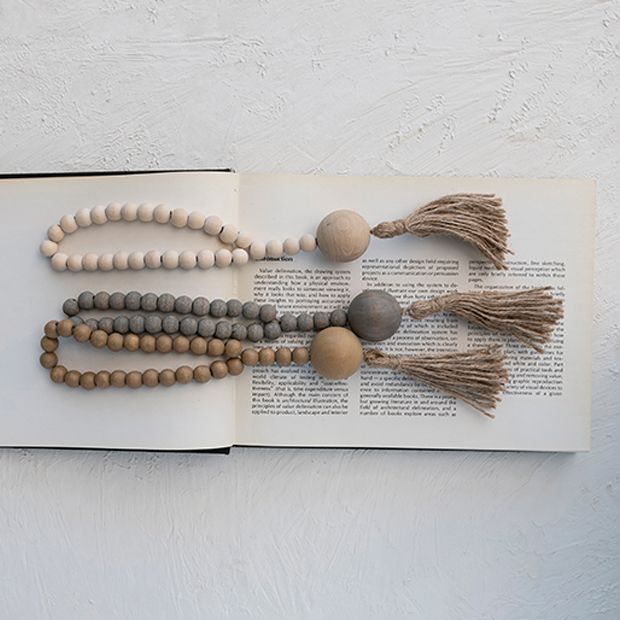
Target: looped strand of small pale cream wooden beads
[[240, 248]]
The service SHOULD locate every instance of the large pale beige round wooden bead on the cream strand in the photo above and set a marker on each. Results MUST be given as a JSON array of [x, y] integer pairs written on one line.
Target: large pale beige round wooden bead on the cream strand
[[343, 236]]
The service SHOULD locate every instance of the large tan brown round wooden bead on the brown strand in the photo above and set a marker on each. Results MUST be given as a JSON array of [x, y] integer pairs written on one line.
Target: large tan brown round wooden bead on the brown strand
[[336, 353]]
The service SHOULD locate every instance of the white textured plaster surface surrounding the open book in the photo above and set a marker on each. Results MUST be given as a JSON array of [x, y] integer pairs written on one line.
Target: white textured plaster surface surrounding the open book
[[384, 87]]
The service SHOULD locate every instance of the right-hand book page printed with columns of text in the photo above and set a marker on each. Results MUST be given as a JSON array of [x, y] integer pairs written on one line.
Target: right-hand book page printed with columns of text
[[547, 402]]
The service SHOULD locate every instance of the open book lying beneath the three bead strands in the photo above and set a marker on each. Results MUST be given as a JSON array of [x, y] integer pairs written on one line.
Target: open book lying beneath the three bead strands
[[547, 402]]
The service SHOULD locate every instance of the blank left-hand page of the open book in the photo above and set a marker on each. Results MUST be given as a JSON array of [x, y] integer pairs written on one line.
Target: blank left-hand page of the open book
[[36, 412]]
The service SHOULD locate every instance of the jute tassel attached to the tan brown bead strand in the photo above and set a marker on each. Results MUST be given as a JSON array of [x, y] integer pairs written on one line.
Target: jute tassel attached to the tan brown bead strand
[[476, 377]]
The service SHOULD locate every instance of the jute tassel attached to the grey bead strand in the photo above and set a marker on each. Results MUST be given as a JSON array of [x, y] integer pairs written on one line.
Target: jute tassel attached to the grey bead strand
[[530, 316]]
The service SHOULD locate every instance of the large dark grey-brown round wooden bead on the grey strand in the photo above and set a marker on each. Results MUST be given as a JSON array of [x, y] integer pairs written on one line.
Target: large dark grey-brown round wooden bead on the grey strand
[[375, 315]]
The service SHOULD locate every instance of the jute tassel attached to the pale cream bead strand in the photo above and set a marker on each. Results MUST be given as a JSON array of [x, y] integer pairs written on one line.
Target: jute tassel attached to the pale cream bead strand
[[478, 219]]
